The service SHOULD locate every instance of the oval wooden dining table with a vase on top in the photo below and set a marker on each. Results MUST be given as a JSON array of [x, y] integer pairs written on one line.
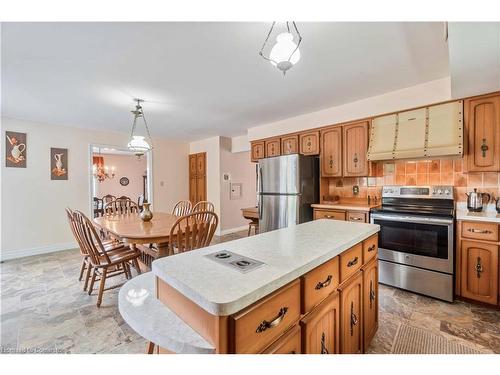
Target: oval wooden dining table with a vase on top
[[131, 230]]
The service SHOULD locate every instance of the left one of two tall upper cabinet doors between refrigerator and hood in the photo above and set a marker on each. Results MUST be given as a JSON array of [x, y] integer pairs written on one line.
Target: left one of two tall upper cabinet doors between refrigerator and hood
[[331, 152]]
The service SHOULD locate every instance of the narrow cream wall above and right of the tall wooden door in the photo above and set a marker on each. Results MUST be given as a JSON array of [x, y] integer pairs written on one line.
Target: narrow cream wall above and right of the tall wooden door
[[212, 147]]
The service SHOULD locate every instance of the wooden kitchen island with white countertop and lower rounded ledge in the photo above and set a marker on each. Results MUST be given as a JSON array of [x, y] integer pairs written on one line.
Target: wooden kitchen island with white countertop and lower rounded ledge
[[310, 288]]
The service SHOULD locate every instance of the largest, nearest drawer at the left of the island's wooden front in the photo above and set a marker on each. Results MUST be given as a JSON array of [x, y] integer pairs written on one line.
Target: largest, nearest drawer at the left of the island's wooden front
[[254, 328]]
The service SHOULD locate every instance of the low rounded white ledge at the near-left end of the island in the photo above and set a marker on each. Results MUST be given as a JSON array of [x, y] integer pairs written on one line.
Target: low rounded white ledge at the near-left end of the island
[[154, 321]]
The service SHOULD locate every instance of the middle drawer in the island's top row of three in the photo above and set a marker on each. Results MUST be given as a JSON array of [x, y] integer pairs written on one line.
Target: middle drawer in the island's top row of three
[[319, 283]]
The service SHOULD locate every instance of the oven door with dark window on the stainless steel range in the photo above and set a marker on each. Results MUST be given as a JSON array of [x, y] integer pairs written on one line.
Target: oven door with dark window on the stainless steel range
[[423, 242]]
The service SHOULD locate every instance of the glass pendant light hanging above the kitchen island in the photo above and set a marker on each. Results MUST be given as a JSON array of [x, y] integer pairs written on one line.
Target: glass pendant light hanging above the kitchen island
[[285, 53]]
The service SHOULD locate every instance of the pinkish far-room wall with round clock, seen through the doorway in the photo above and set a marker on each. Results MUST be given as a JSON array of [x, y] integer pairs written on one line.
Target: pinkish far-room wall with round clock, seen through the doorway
[[125, 166]]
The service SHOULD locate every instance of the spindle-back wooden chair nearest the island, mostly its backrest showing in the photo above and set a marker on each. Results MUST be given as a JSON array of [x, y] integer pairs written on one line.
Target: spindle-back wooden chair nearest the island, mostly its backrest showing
[[192, 231]]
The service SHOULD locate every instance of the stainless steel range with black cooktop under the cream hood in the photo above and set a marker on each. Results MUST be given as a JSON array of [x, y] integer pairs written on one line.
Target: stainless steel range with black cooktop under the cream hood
[[416, 239]]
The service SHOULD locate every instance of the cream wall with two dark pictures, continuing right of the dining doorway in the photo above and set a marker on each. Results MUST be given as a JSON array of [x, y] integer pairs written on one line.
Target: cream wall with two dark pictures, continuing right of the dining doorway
[[33, 217]]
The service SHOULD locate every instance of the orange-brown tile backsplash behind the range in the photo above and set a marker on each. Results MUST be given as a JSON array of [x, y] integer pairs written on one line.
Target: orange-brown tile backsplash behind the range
[[426, 172]]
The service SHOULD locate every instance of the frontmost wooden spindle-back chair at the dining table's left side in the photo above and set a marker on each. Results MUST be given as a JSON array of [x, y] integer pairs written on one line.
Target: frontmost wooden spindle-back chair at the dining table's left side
[[103, 263]]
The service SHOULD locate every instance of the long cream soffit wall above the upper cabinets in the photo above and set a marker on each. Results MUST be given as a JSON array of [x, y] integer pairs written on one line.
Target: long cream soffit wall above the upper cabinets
[[414, 96]]
